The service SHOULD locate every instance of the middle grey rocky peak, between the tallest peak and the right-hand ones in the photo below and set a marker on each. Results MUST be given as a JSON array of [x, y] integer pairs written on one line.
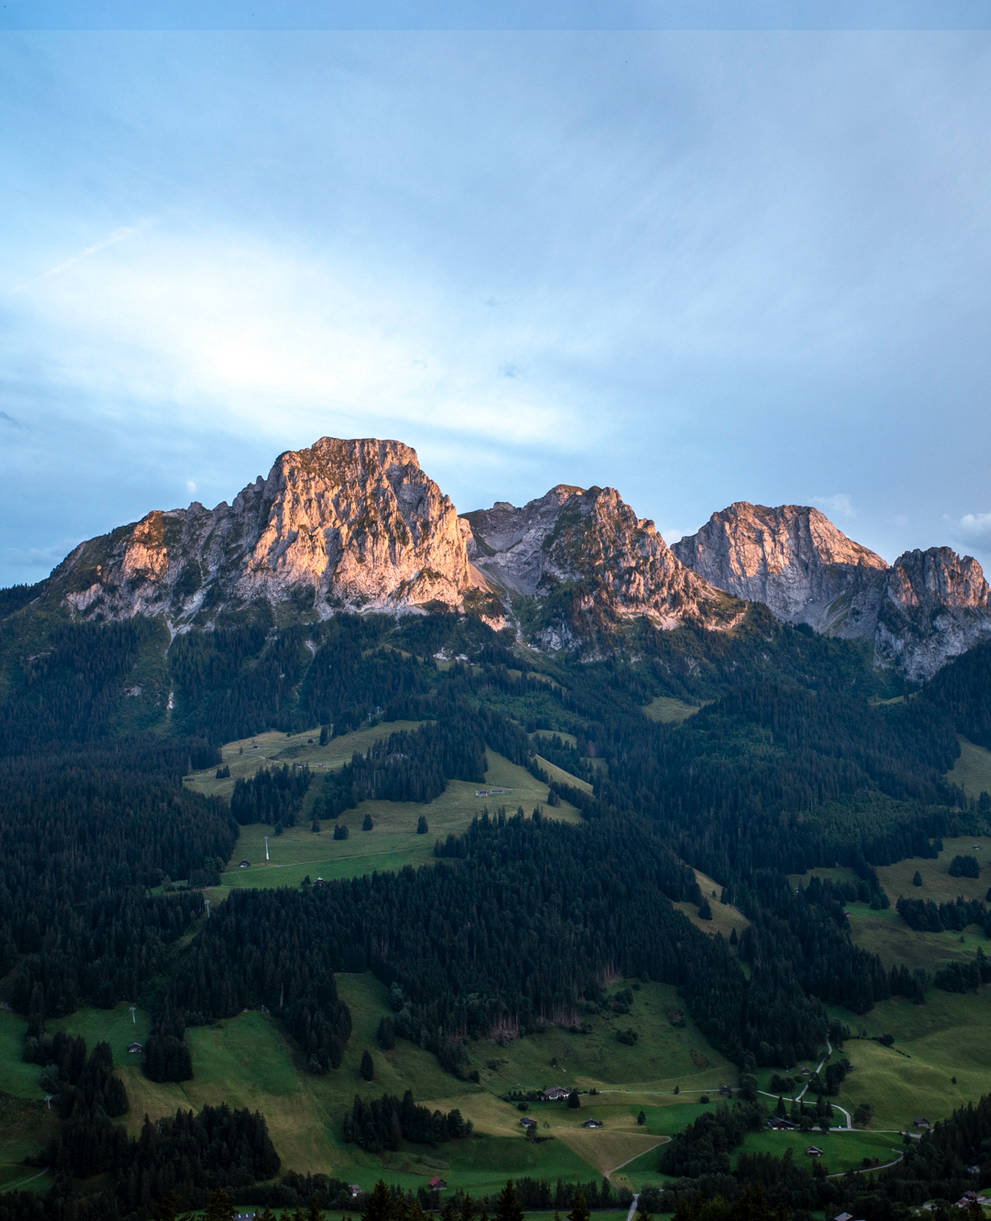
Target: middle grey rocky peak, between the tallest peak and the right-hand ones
[[597, 562]]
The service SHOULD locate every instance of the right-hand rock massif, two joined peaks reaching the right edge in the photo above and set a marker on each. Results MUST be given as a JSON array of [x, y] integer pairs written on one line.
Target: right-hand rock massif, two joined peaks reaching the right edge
[[926, 609]]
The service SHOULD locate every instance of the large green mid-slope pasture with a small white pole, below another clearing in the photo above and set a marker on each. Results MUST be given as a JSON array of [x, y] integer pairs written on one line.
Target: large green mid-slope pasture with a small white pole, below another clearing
[[394, 842]]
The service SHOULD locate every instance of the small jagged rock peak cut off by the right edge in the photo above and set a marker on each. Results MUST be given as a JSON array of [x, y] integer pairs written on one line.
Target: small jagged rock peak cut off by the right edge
[[937, 605]]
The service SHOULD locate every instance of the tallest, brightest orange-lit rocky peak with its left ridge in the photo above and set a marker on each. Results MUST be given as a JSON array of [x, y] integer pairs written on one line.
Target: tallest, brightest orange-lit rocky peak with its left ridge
[[345, 524]]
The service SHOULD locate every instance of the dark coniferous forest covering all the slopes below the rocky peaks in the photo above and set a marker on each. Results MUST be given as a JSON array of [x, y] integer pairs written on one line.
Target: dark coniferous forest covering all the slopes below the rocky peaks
[[799, 755]]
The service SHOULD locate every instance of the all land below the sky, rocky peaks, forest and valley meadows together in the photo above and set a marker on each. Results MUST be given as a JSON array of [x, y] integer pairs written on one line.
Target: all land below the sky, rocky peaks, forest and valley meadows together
[[363, 857]]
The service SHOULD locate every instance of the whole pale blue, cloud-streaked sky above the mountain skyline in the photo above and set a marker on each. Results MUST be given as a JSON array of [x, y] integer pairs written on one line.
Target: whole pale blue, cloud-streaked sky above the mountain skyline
[[699, 266]]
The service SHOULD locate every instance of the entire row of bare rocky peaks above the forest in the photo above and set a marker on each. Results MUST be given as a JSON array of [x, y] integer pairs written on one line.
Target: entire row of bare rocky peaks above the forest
[[358, 526]]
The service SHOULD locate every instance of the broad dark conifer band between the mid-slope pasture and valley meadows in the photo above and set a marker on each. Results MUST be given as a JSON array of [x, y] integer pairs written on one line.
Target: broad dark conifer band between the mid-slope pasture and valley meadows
[[510, 937]]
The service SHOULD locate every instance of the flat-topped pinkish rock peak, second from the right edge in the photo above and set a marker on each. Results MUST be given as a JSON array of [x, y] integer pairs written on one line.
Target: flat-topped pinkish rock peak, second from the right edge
[[795, 561]]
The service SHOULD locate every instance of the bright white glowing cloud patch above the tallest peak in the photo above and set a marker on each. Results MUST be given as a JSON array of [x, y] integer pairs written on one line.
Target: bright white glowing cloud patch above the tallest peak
[[290, 344]]
